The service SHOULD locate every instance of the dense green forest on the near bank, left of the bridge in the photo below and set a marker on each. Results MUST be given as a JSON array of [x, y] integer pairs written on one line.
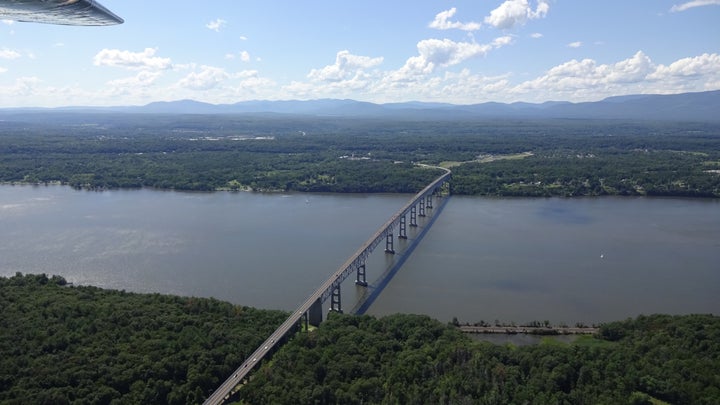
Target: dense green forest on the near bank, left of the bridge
[[63, 344]]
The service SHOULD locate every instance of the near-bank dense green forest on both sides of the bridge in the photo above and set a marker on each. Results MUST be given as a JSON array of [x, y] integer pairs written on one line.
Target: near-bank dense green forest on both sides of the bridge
[[78, 344]]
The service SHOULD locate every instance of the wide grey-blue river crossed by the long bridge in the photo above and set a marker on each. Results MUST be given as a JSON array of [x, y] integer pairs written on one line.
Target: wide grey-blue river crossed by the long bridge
[[564, 260]]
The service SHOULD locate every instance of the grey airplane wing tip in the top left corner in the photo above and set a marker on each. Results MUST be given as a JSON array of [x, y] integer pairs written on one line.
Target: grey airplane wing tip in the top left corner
[[63, 12]]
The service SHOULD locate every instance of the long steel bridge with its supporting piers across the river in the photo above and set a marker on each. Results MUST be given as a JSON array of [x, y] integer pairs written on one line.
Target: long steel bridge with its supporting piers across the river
[[310, 312]]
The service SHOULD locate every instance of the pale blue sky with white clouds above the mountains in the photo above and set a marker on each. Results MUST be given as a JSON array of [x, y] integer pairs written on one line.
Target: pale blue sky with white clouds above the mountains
[[462, 52]]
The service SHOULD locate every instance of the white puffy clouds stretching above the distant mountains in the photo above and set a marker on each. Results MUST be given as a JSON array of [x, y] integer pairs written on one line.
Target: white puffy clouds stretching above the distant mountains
[[436, 69]]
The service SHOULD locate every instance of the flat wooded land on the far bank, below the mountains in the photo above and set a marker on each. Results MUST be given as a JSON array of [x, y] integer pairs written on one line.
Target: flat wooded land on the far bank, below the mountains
[[238, 152]]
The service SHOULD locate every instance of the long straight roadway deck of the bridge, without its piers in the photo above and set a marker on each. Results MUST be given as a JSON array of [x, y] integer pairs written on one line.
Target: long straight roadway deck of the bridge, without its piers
[[322, 293]]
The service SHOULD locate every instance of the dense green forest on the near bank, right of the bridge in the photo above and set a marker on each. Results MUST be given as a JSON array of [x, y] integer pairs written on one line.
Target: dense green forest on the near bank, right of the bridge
[[408, 359]]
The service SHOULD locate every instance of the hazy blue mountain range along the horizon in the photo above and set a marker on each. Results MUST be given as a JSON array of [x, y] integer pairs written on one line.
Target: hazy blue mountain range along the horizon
[[702, 106]]
